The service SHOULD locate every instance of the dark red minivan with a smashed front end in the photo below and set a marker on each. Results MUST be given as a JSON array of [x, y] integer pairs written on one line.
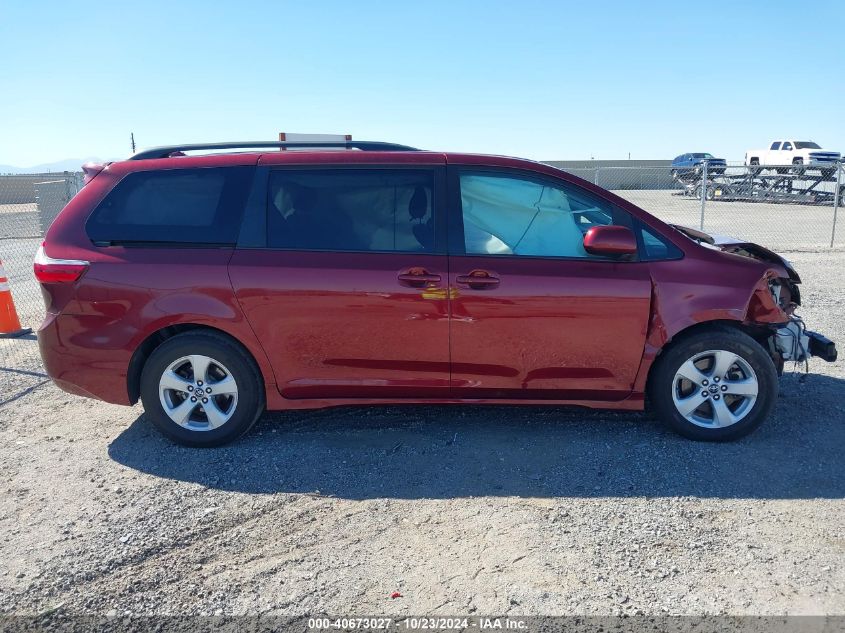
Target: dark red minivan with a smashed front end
[[214, 286]]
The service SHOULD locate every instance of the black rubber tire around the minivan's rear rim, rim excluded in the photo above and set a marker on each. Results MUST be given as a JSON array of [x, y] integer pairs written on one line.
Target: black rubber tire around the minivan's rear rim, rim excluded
[[249, 403]]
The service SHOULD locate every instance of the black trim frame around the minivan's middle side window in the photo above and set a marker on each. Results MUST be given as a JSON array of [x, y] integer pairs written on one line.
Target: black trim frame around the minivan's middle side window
[[257, 213]]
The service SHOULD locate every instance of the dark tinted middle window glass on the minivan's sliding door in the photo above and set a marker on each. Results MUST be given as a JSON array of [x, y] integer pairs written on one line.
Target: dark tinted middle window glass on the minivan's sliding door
[[351, 210]]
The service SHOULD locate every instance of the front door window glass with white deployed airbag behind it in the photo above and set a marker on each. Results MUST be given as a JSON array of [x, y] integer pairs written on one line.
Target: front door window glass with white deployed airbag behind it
[[515, 215]]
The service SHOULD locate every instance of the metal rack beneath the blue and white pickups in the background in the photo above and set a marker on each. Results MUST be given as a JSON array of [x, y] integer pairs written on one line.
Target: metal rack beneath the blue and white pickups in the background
[[795, 184]]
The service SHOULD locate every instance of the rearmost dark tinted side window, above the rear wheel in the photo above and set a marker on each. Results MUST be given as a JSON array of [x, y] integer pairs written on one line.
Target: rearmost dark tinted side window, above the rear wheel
[[180, 206]]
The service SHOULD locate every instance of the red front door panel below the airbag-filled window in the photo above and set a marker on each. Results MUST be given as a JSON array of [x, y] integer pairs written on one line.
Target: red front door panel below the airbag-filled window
[[545, 328]]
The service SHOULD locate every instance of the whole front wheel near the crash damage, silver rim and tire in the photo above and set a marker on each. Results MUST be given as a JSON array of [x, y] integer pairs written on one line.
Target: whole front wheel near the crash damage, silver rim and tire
[[715, 385]]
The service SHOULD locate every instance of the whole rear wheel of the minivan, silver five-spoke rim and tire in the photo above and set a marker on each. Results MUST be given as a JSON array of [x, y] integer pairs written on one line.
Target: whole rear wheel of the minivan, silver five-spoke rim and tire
[[201, 389]]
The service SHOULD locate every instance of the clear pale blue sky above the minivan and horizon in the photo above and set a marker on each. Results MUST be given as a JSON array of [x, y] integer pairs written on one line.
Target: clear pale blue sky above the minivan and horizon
[[545, 80]]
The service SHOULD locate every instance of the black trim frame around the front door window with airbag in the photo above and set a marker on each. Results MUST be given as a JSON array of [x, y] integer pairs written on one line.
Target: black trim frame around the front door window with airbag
[[457, 245]]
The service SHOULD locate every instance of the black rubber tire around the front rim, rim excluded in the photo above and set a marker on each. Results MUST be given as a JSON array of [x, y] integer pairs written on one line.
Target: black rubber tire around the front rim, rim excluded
[[662, 383]]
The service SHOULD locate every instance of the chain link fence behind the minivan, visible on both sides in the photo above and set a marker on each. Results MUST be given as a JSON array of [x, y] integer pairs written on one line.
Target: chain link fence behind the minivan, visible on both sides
[[785, 208]]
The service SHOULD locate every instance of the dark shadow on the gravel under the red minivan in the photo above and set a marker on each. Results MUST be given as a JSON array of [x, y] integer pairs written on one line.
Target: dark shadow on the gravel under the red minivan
[[443, 452]]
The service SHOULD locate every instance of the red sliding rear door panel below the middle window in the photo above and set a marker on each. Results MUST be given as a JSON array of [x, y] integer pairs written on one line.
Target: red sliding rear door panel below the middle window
[[348, 325]]
